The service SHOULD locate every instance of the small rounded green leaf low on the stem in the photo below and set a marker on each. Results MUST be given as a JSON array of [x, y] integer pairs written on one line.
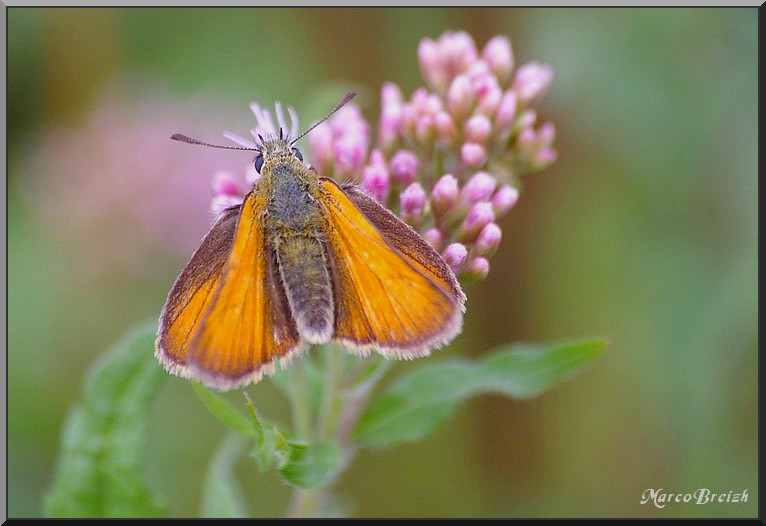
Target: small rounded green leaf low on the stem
[[311, 465]]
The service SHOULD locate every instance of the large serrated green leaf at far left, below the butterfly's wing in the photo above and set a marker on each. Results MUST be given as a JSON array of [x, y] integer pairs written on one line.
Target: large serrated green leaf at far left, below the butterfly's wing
[[105, 436]]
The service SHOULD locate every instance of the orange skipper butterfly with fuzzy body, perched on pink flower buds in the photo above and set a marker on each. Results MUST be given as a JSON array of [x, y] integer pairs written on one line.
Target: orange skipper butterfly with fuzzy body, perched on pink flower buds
[[303, 260]]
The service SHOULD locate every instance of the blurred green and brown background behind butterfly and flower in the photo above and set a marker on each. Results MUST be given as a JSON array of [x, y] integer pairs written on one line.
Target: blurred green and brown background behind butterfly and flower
[[643, 232]]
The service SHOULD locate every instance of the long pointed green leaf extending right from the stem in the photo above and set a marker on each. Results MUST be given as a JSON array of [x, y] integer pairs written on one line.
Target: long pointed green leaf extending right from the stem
[[419, 403]]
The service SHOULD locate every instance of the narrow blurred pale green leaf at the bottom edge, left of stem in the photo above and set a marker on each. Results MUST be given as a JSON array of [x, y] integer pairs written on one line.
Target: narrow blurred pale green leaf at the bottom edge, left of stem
[[223, 496]]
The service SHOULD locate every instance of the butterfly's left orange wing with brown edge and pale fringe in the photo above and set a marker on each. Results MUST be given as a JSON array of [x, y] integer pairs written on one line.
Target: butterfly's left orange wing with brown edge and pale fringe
[[226, 319]]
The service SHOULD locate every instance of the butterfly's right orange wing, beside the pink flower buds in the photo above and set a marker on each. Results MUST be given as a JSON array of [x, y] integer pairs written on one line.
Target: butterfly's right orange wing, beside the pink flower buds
[[393, 294]]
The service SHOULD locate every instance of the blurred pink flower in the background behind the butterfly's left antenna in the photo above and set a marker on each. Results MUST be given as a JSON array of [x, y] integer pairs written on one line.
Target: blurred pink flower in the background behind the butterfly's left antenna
[[117, 193]]
